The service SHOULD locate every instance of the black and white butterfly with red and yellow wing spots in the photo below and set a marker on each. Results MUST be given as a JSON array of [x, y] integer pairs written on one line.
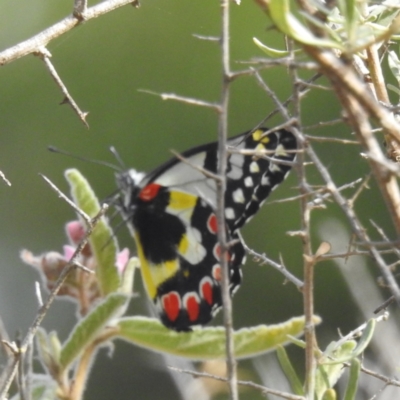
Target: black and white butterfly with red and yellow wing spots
[[171, 213]]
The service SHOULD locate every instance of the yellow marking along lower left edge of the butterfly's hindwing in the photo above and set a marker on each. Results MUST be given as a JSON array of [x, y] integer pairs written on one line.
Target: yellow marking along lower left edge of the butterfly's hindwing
[[154, 275]]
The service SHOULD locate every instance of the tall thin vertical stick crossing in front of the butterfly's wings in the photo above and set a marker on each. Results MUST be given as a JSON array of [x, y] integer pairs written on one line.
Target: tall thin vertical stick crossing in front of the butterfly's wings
[[221, 188]]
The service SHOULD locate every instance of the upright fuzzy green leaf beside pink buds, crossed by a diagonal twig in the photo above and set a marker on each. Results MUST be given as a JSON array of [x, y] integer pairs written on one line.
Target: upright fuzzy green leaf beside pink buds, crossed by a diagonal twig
[[103, 246]]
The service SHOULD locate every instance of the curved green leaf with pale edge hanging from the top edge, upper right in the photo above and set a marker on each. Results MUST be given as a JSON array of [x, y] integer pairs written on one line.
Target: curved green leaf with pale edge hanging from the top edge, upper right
[[288, 24]]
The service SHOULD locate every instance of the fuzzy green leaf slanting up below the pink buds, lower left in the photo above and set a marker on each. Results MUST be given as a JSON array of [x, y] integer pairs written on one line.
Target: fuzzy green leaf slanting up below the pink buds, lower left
[[91, 326]]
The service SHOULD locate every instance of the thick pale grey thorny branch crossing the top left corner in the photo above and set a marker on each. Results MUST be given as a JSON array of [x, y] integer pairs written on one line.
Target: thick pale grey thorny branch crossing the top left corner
[[34, 44]]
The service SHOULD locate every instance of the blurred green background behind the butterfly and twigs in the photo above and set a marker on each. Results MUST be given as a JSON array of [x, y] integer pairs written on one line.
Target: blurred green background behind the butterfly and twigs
[[104, 64]]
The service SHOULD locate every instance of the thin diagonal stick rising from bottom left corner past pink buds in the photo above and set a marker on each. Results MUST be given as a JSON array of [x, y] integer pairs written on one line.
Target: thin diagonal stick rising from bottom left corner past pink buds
[[11, 370]]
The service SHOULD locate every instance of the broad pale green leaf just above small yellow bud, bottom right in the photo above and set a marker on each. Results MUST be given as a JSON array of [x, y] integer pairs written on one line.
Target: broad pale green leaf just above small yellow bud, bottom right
[[328, 374]]
